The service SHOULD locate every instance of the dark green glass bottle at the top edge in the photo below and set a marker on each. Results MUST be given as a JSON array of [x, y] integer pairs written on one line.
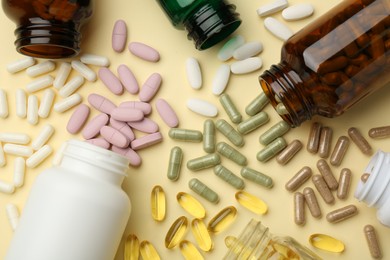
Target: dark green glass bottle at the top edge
[[206, 21]]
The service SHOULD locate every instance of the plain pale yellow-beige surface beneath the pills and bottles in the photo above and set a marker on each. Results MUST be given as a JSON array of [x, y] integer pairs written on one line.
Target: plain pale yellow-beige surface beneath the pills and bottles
[[146, 23]]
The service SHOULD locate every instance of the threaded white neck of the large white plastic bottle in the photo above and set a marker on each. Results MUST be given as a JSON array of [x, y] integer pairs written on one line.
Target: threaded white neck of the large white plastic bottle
[[94, 162]]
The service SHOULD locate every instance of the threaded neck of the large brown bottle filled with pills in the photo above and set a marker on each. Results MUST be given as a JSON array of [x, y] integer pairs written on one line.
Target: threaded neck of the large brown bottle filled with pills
[[283, 86]]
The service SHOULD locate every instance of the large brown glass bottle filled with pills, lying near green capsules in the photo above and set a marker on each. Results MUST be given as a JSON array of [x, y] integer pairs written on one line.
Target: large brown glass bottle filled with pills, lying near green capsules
[[332, 63]]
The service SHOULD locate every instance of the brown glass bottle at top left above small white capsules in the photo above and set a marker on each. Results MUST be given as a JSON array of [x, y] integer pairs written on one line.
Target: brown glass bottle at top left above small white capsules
[[48, 28]]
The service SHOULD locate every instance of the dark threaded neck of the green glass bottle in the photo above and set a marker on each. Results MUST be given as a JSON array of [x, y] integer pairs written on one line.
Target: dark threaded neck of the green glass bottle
[[212, 23]]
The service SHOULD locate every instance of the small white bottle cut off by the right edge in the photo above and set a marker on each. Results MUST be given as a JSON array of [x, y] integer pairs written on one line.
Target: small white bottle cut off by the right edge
[[375, 191]]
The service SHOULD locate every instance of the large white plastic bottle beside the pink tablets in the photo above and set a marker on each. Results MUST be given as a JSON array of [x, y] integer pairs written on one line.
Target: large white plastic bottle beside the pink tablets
[[76, 210]]
